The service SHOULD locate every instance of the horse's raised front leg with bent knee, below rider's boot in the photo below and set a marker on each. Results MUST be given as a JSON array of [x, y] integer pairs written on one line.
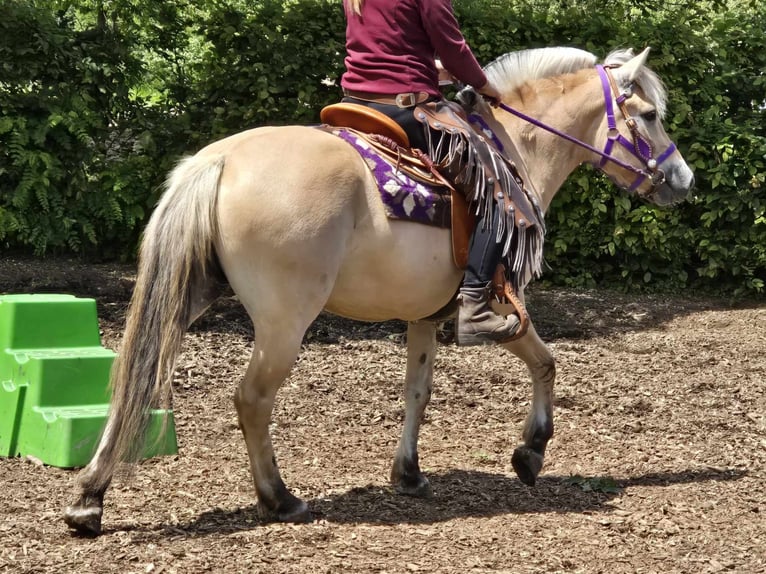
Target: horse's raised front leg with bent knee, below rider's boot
[[527, 459]]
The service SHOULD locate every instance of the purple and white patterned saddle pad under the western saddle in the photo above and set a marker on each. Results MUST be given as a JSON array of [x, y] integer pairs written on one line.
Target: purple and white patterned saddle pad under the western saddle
[[403, 197]]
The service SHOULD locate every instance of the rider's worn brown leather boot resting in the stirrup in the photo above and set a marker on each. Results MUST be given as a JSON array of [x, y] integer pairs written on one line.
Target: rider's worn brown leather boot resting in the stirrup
[[477, 322]]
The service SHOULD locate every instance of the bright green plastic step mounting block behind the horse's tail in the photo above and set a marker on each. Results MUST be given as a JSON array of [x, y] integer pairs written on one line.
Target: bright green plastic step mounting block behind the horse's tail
[[54, 377]]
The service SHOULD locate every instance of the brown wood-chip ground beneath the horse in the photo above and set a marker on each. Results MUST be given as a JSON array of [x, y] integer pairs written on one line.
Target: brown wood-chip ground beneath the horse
[[657, 465]]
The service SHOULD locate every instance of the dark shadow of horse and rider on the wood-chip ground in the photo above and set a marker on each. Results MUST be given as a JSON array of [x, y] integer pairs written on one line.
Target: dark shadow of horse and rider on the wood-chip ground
[[457, 494]]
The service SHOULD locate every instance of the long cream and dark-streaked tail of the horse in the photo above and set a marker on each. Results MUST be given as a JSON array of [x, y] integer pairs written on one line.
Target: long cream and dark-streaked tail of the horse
[[176, 261]]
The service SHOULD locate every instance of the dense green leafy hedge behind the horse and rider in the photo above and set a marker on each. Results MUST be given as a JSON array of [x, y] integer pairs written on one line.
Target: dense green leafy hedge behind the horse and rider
[[96, 104]]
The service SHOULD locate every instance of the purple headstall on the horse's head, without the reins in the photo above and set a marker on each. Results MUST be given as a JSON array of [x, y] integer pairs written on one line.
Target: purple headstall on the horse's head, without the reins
[[640, 147]]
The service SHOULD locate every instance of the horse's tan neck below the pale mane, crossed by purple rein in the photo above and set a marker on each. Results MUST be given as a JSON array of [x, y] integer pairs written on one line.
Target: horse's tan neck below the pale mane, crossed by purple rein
[[544, 159]]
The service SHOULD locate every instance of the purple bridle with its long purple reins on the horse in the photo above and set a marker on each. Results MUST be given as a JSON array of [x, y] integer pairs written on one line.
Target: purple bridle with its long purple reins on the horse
[[639, 147]]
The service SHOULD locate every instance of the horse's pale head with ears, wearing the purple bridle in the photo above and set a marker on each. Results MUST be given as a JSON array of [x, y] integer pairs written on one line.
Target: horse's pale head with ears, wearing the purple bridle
[[638, 154]]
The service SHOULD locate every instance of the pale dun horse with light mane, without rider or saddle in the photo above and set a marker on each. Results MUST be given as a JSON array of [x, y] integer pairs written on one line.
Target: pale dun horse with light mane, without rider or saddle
[[292, 220]]
